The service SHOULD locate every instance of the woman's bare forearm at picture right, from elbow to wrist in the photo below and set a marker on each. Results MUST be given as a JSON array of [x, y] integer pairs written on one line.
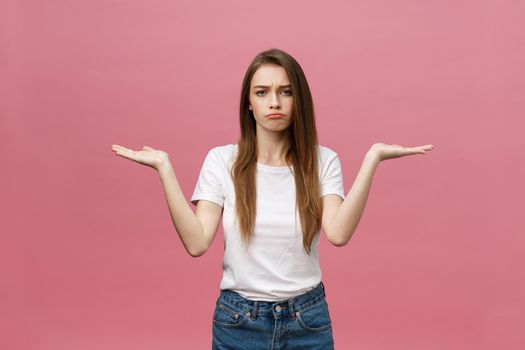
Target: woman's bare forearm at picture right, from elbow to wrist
[[349, 213]]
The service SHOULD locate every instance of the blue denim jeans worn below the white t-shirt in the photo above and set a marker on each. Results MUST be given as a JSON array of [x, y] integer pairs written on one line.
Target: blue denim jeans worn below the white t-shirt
[[302, 322]]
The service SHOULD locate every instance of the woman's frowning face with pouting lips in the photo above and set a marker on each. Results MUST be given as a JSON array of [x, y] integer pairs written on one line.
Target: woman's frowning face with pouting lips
[[271, 93]]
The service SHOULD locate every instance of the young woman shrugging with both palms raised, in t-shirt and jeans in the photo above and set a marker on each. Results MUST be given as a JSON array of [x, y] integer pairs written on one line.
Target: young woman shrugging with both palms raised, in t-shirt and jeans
[[275, 188]]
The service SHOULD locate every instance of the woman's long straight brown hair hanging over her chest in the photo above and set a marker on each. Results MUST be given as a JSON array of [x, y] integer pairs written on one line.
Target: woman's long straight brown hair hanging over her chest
[[302, 153]]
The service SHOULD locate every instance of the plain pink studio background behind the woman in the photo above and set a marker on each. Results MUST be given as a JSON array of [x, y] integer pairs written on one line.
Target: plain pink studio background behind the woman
[[89, 258]]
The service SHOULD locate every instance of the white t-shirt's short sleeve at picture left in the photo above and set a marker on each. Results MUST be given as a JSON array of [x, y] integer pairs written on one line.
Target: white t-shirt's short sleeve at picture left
[[209, 184]]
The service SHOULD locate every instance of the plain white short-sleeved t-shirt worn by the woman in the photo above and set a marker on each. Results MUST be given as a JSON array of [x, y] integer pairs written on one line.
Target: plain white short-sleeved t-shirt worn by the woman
[[275, 266]]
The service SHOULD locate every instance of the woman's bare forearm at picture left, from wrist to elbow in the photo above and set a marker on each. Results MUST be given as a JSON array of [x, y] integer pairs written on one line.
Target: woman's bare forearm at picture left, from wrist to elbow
[[186, 223]]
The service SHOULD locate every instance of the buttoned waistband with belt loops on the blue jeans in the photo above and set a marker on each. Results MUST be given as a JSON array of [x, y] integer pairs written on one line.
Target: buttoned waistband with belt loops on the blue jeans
[[278, 308]]
